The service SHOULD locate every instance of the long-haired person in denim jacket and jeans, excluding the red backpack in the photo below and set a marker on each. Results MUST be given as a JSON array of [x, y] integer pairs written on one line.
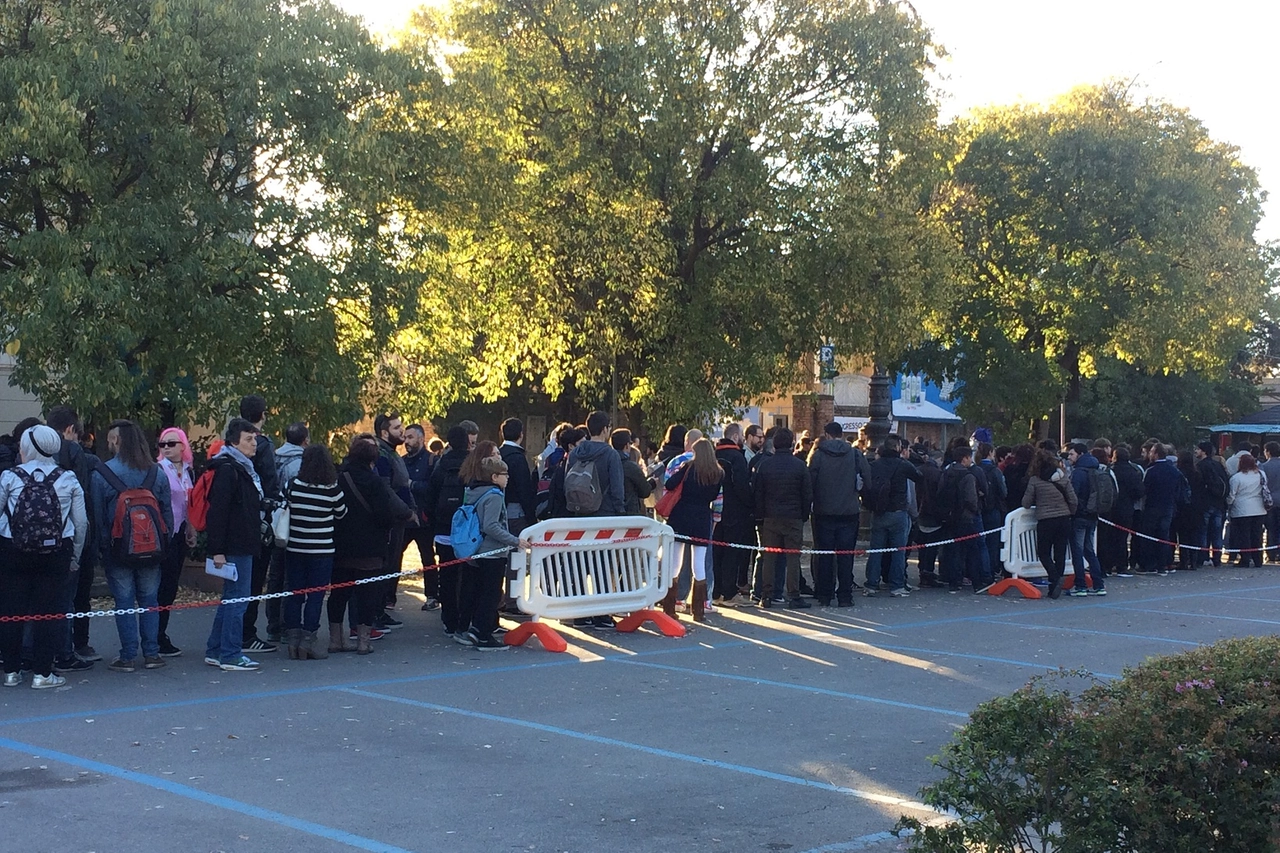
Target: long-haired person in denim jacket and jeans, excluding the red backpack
[[134, 583]]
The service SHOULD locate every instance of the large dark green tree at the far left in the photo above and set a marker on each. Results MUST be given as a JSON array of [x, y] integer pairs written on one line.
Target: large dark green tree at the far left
[[188, 191]]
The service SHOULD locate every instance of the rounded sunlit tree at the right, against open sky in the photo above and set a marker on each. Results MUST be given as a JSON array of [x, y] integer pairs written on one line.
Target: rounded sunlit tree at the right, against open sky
[[1095, 229]]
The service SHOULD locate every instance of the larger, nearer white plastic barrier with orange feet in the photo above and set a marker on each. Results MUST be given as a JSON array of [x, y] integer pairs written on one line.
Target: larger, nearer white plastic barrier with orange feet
[[580, 568]]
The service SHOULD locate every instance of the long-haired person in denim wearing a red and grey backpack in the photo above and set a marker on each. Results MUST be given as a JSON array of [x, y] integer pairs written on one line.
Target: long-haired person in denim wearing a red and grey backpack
[[134, 517]]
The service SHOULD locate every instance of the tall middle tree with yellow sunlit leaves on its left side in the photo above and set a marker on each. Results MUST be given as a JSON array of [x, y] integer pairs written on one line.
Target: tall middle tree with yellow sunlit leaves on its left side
[[685, 198]]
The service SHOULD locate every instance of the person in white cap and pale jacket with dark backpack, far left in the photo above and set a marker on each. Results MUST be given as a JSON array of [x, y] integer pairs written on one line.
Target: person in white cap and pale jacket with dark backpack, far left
[[43, 532]]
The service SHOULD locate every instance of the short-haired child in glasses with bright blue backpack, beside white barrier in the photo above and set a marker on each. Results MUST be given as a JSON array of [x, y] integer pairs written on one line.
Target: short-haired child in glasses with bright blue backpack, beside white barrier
[[481, 527]]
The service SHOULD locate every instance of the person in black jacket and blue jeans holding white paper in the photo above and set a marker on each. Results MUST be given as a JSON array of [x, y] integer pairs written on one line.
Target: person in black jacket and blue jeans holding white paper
[[234, 535]]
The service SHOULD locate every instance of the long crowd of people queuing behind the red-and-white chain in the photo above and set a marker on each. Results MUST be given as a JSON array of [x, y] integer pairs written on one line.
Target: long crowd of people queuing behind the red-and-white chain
[[139, 517]]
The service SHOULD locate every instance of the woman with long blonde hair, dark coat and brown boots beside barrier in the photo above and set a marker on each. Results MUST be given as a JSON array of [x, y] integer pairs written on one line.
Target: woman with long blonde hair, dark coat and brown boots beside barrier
[[700, 481]]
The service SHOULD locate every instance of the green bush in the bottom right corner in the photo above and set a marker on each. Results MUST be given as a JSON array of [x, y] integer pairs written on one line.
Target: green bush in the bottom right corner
[[1180, 756]]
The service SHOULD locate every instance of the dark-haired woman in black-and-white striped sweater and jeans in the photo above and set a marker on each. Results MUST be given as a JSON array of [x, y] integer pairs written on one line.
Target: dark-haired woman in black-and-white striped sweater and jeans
[[316, 507]]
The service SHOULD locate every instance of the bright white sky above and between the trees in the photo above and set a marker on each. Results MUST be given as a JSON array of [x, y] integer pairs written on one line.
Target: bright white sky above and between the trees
[[1212, 58]]
